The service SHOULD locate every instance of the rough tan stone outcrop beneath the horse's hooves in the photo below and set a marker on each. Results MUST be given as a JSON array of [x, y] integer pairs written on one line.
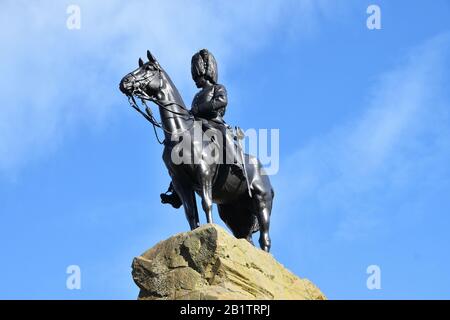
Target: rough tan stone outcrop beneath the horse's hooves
[[209, 263]]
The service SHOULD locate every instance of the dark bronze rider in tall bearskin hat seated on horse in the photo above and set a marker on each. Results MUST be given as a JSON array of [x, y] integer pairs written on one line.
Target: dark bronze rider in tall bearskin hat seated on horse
[[209, 105]]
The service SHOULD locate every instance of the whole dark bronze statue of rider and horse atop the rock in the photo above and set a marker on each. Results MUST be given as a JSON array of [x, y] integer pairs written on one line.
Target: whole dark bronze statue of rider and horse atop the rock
[[240, 189]]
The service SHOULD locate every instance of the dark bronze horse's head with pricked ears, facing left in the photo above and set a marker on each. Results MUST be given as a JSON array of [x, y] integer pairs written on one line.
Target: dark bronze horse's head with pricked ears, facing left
[[145, 82]]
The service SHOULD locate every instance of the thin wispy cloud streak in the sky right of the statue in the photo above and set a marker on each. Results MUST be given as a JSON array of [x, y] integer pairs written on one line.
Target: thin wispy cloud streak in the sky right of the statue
[[367, 170]]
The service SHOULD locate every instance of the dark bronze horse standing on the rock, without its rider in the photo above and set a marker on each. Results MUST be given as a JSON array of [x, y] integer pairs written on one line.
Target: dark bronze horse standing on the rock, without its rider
[[244, 201]]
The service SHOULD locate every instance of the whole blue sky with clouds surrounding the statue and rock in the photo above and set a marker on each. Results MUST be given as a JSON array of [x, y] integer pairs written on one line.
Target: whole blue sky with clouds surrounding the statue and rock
[[364, 138]]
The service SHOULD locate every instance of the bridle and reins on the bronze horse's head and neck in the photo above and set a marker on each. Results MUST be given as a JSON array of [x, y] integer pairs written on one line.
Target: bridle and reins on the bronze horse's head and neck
[[148, 115]]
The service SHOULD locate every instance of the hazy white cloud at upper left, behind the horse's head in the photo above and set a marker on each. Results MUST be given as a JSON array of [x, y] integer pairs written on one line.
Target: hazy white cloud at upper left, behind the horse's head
[[54, 79]]
